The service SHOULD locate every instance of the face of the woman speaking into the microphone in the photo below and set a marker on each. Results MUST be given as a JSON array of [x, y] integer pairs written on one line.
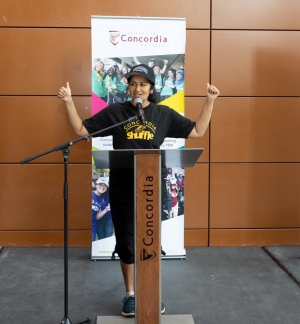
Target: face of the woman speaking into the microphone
[[139, 87]]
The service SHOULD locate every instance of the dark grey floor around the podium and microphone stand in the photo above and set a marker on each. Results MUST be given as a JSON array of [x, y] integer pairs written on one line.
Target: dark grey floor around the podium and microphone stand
[[228, 285]]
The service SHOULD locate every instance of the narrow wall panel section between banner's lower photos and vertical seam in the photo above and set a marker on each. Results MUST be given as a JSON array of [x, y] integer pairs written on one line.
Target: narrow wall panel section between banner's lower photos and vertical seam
[[196, 197]]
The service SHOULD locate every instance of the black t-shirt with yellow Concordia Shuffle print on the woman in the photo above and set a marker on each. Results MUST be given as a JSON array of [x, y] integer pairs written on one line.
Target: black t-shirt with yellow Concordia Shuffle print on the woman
[[161, 122]]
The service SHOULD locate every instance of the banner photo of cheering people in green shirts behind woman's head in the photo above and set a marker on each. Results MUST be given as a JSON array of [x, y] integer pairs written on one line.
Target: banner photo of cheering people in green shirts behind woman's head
[[110, 85]]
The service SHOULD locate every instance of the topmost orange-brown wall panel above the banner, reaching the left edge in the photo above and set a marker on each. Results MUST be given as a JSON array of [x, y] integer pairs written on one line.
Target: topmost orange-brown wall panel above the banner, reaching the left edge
[[69, 13]]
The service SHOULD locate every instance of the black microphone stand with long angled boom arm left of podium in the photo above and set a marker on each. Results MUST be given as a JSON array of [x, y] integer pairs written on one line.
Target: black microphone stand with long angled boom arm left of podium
[[64, 148]]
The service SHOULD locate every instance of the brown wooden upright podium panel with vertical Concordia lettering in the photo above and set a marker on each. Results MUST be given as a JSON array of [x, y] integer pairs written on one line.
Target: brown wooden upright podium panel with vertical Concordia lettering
[[147, 244]]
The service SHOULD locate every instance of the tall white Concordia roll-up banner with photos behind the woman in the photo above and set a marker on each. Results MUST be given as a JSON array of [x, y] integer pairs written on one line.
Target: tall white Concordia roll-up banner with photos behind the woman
[[118, 44]]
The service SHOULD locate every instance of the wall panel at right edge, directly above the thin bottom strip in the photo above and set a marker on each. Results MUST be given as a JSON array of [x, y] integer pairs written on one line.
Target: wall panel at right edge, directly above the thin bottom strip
[[252, 196]]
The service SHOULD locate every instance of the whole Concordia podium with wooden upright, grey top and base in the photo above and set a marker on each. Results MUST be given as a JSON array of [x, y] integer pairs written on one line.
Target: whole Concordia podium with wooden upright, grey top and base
[[147, 166]]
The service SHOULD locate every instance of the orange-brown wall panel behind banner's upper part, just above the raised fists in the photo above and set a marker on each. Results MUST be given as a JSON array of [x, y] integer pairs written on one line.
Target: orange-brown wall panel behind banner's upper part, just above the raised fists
[[45, 67]]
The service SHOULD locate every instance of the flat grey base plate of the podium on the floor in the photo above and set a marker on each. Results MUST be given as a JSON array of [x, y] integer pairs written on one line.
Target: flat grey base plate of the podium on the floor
[[165, 319]]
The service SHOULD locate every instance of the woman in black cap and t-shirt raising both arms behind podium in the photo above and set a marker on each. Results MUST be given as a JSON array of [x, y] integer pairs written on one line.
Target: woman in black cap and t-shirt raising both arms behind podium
[[156, 123]]
